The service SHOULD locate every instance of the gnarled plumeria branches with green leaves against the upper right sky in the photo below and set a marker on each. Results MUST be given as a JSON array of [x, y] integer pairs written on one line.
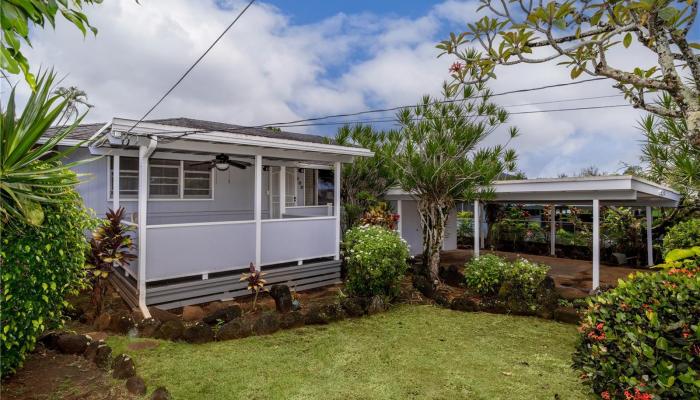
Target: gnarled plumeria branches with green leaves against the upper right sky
[[581, 35]]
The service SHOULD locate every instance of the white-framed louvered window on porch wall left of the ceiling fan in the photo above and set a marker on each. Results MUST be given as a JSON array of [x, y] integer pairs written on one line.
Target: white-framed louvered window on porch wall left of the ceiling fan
[[167, 179]]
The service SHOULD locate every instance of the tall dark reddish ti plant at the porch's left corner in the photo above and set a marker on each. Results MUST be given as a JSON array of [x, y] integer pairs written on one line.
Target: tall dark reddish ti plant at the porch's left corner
[[110, 245]]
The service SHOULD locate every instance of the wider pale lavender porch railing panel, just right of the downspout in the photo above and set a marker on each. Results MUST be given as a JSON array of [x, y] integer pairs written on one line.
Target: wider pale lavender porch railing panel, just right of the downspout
[[177, 250]]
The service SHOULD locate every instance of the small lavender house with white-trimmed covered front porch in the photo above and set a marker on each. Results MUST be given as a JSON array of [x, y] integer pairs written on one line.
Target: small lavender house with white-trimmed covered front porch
[[206, 199]]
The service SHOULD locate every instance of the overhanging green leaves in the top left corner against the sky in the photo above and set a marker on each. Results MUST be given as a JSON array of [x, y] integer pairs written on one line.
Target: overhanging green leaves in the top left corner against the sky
[[18, 18]]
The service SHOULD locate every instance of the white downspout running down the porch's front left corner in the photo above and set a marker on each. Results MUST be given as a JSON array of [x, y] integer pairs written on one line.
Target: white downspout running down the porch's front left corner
[[145, 151]]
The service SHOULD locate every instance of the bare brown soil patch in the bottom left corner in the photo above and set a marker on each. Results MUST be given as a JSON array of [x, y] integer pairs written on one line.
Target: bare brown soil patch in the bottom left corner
[[48, 375]]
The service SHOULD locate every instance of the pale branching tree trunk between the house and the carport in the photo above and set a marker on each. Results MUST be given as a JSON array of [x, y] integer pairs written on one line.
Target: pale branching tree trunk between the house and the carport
[[433, 218]]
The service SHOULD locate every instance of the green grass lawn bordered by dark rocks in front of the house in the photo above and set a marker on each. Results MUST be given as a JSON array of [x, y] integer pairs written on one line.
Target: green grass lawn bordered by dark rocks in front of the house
[[411, 352]]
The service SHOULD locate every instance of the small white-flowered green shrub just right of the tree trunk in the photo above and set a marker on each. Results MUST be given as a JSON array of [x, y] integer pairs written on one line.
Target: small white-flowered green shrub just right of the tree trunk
[[485, 274]]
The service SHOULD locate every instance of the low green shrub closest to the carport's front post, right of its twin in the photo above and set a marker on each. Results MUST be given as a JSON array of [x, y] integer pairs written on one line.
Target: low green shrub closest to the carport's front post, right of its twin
[[521, 284]]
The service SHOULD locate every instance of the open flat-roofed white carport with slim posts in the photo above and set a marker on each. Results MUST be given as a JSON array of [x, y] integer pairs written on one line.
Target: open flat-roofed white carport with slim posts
[[591, 192]]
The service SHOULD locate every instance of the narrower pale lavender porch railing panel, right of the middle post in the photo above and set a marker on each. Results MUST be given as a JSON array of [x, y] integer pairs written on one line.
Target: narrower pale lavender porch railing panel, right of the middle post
[[287, 240]]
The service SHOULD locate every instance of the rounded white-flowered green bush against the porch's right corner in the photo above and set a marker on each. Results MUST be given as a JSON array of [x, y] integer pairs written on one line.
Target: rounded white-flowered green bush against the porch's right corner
[[376, 260]]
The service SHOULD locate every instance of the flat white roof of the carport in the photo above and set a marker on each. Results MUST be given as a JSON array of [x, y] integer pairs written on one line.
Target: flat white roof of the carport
[[621, 190]]
